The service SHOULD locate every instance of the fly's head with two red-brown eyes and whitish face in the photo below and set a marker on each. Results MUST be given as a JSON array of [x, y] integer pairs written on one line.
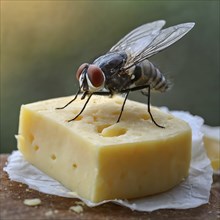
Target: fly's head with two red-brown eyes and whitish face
[[91, 78]]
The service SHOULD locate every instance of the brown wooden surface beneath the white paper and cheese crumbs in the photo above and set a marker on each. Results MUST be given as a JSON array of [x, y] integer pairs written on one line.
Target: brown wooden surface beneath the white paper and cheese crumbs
[[12, 195]]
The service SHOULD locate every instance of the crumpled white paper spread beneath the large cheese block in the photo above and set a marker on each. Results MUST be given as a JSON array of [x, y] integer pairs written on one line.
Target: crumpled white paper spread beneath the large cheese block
[[192, 192]]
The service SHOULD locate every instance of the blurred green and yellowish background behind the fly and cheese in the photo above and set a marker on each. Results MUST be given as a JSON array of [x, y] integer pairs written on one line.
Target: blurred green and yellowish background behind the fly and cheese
[[44, 42]]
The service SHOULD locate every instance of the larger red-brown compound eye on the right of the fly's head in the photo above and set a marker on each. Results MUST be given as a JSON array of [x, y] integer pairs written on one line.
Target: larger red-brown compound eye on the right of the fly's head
[[95, 75]]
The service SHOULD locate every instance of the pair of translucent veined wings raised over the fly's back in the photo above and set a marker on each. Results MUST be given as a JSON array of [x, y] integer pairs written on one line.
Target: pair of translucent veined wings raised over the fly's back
[[141, 44]]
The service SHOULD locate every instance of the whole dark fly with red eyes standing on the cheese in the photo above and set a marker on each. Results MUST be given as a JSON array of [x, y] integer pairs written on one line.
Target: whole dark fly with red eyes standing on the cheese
[[125, 67]]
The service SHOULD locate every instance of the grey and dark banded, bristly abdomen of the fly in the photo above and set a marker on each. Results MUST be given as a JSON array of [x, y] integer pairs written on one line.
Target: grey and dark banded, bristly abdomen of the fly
[[147, 74]]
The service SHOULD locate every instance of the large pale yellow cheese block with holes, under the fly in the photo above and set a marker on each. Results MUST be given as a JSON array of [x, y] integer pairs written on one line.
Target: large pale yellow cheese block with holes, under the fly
[[100, 159]]
